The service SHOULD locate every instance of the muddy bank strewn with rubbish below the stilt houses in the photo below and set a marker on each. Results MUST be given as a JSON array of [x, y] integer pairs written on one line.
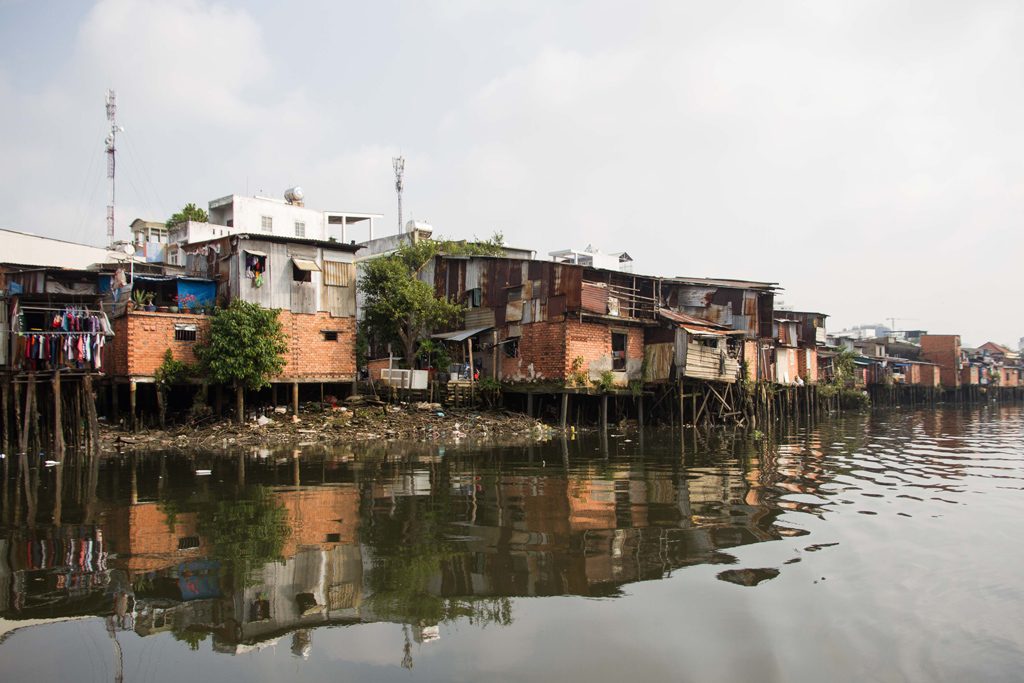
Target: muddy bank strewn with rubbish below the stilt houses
[[362, 423]]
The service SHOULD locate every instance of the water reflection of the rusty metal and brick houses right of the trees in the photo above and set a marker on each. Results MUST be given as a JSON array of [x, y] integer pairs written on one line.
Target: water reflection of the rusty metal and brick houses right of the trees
[[588, 533]]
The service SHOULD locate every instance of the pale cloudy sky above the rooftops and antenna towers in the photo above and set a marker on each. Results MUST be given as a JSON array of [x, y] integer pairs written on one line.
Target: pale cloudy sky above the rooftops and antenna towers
[[869, 156]]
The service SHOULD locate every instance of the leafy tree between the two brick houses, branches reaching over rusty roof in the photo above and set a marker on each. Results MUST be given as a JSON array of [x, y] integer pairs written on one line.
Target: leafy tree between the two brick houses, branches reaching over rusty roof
[[400, 307]]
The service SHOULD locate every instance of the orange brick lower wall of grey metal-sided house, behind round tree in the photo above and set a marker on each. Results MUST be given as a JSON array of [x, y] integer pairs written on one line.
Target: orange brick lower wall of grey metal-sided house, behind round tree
[[141, 339]]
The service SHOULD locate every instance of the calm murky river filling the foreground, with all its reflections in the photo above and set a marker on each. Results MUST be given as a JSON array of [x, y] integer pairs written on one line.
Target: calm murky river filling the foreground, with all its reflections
[[874, 547]]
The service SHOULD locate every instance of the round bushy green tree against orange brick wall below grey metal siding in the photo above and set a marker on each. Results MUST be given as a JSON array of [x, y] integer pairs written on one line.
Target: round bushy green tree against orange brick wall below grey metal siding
[[245, 348]]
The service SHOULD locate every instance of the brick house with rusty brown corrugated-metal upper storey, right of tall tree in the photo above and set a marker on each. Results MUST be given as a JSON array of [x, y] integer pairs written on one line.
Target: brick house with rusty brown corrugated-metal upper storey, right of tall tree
[[542, 321]]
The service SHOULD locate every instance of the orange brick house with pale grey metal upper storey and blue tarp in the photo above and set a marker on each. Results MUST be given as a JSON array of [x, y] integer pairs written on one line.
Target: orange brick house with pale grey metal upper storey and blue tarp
[[312, 282]]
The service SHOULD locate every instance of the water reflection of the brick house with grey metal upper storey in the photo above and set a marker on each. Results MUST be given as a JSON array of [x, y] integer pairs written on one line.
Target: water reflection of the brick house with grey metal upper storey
[[319, 582]]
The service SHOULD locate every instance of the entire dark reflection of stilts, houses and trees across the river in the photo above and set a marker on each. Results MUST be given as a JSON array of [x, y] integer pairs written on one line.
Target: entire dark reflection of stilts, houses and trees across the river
[[272, 545]]
